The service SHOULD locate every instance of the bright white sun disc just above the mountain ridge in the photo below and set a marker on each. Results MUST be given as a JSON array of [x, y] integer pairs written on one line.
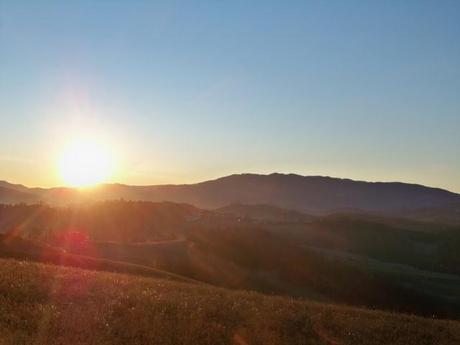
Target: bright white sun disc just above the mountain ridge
[[85, 163]]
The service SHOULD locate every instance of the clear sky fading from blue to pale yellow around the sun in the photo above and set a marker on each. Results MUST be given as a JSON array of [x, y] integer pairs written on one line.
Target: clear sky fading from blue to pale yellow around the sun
[[192, 90]]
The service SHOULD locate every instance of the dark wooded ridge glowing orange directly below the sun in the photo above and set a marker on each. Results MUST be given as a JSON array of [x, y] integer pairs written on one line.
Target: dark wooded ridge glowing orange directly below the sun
[[116, 221]]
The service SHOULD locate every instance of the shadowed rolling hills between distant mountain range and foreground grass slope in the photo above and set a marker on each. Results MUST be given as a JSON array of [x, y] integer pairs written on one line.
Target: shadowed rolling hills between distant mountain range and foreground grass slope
[[346, 259]]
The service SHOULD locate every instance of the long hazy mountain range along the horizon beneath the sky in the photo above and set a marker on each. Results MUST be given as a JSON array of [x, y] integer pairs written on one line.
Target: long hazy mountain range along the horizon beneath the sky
[[307, 194]]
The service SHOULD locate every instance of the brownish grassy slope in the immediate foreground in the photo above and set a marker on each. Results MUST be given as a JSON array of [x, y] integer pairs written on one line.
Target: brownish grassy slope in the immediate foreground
[[47, 304]]
